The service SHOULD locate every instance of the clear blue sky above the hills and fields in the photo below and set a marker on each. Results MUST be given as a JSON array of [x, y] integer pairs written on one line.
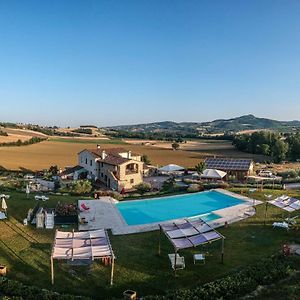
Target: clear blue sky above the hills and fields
[[70, 63]]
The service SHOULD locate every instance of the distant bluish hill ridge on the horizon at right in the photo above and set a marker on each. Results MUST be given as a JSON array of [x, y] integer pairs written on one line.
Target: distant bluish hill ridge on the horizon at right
[[247, 122]]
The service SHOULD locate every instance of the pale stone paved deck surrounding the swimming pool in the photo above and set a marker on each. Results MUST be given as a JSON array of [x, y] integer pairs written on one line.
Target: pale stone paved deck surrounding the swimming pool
[[103, 214]]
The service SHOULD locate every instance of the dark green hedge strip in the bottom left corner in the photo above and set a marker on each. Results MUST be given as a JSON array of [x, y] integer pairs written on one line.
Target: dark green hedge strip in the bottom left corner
[[17, 290]]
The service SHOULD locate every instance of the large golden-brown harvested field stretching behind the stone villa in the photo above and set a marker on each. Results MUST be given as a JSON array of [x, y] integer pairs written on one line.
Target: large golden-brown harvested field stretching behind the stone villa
[[63, 153]]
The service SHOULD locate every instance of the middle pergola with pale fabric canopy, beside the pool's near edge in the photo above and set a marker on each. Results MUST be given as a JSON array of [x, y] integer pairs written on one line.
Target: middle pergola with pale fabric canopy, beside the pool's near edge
[[187, 234]]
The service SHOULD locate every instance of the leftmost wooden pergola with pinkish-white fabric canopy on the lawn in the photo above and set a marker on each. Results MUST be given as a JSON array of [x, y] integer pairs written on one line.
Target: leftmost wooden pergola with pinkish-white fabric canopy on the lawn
[[84, 245]]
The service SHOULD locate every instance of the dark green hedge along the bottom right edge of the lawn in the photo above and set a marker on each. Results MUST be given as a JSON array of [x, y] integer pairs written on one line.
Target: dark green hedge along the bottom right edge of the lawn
[[266, 271]]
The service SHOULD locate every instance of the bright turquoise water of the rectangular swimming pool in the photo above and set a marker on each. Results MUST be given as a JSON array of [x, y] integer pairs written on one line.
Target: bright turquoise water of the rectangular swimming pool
[[137, 212]]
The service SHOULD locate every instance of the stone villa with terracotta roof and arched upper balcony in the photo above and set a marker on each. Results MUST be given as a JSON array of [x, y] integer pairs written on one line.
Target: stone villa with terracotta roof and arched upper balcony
[[117, 168]]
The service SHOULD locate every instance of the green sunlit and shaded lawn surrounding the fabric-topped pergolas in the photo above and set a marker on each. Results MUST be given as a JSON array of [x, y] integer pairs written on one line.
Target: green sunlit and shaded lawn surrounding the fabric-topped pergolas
[[26, 252]]
